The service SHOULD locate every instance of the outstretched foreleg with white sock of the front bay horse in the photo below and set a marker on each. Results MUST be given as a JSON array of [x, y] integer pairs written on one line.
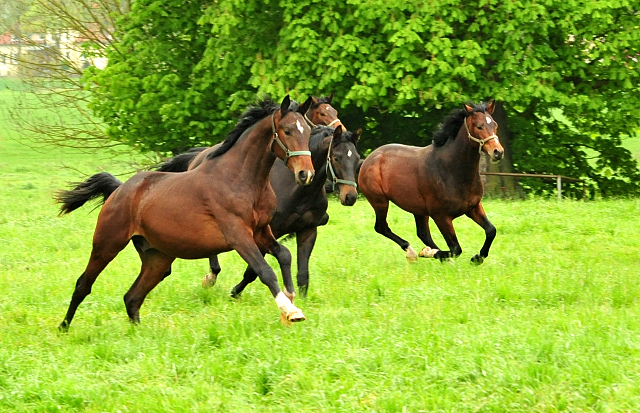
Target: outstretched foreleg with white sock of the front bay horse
[[250, 252]]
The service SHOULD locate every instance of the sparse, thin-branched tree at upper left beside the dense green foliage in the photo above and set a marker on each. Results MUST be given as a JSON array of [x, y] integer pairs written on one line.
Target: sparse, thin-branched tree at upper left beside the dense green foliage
[[51, 35]]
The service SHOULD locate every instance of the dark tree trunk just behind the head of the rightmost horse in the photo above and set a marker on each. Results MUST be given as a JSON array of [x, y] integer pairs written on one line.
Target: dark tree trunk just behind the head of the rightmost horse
[[500, 186]]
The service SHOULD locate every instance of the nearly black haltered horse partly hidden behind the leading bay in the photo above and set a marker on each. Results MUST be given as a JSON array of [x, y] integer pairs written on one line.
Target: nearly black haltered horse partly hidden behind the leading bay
[[300, 210]]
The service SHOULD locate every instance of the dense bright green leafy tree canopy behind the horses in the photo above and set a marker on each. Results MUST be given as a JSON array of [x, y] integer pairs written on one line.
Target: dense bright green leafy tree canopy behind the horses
[[565, 71]]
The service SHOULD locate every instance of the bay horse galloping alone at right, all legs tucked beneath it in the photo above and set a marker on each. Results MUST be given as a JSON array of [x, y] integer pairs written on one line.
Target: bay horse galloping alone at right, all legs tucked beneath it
[[441, 181]]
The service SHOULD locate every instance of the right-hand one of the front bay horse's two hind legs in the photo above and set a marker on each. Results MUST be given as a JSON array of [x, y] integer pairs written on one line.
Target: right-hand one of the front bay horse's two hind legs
[[154, 266]]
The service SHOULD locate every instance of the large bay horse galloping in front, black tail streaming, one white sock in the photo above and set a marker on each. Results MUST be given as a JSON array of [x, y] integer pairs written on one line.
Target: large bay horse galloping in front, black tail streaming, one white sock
[[225, 204]]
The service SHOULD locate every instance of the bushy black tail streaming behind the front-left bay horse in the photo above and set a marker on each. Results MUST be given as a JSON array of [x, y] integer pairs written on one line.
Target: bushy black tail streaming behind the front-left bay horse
[[102, 184]]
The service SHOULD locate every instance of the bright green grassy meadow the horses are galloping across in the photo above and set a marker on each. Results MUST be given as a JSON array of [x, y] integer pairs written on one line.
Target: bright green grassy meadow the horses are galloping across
[[550, 322]]
